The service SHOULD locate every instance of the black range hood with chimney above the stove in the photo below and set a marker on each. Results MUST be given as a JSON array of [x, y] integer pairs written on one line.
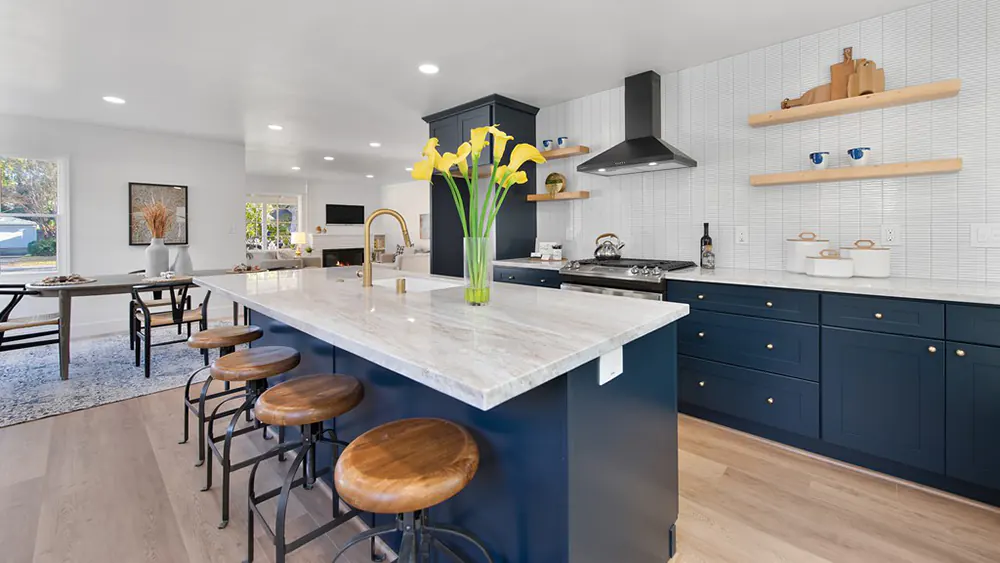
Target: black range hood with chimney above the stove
[[642, 150]]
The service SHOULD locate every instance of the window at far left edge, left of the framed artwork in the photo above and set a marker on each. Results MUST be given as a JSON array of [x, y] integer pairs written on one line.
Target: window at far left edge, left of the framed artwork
[[29, 216]]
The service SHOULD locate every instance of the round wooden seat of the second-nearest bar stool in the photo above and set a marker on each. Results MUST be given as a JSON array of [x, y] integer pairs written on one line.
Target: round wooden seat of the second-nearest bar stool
[[309, 399]]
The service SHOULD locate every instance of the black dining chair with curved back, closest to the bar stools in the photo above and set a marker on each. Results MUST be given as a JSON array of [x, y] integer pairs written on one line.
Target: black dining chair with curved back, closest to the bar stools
[[178, 315]]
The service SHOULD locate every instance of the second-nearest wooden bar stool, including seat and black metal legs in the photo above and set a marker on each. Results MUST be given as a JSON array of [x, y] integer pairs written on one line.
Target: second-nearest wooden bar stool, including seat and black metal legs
[[304, 402]]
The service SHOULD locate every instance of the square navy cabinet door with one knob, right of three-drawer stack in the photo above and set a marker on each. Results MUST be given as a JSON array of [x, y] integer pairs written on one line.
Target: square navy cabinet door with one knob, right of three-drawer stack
[[885, 395]]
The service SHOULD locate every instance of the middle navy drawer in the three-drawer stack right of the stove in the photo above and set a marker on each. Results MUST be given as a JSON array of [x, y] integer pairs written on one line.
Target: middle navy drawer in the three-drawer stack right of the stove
[[775, 346]]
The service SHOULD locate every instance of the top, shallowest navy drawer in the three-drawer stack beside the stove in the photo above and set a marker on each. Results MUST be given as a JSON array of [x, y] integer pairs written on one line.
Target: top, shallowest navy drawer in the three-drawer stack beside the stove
[[784, 304]]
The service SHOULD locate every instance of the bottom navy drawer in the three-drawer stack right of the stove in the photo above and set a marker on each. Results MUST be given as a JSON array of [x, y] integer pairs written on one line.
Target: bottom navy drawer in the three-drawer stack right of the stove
[[778, 401]]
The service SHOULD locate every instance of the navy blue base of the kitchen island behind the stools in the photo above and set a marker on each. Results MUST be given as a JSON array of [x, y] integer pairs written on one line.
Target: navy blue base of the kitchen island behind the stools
[[571, 471]]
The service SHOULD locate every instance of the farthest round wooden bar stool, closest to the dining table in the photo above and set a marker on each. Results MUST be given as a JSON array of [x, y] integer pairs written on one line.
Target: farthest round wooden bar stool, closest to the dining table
[[225, 339]]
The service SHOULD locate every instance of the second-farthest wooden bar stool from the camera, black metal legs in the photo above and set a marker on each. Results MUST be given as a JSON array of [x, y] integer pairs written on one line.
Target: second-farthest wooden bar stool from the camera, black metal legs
[[251, 367]]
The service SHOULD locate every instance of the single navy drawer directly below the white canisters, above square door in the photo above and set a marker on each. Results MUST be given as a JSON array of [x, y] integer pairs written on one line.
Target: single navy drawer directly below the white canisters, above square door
[[894, 316]]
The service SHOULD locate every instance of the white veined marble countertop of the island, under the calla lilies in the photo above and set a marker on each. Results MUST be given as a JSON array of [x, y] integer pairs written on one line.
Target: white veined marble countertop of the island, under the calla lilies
[[482, 356]]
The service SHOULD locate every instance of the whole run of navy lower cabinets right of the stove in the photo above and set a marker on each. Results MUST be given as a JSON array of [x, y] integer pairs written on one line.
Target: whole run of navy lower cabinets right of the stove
[[902, 386]]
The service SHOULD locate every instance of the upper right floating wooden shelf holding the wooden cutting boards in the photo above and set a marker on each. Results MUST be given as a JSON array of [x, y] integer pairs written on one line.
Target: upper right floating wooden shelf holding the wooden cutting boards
[[887, 99]]
